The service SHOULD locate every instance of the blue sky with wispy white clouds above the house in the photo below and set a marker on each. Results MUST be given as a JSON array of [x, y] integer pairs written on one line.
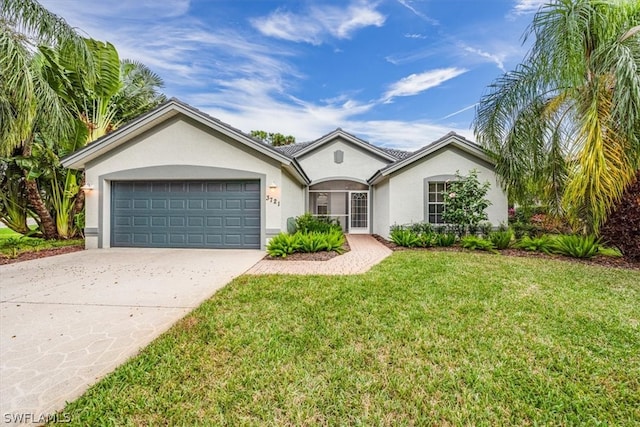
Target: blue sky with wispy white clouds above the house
[[396, 73]]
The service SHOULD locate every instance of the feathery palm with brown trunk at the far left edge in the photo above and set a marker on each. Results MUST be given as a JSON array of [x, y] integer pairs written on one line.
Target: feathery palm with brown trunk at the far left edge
[[25, 97]]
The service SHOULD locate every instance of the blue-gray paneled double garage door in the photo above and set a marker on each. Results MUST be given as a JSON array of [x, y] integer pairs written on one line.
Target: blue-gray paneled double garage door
[[186, 214]]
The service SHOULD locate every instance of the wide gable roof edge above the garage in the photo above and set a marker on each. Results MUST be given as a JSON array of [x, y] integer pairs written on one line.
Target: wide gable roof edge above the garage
[[163, 112]]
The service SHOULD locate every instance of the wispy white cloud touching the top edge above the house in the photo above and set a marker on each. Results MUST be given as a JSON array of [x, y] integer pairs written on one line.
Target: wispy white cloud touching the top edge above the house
[[319, 22]]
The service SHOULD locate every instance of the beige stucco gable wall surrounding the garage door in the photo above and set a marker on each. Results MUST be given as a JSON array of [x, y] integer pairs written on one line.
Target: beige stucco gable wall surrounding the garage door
[[174, 150]]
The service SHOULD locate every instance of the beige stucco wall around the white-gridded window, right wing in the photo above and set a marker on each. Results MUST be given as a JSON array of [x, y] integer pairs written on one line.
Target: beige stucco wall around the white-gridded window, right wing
[[406, 187]]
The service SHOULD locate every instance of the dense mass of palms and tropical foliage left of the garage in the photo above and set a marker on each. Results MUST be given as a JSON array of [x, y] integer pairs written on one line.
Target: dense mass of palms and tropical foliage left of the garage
[[59, 92]]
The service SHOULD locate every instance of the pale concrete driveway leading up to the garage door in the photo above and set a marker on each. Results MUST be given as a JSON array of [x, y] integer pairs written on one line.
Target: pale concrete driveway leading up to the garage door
[[67, 321]]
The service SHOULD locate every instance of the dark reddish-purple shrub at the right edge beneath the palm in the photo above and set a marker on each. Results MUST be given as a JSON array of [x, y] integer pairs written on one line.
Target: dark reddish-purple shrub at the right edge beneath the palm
[[622, 228]]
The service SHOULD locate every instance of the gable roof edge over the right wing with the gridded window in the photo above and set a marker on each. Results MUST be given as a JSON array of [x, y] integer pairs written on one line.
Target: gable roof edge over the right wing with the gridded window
[[451, 138]]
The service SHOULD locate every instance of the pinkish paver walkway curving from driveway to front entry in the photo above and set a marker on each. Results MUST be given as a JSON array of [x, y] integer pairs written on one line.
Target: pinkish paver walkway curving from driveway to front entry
[[365, 253]]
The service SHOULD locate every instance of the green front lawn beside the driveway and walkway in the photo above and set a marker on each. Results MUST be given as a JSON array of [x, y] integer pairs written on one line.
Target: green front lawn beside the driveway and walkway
[[425, 338]]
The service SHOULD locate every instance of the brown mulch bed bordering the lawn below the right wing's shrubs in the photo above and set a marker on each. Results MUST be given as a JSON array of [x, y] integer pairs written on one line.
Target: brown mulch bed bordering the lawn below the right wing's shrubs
[[599, 260]]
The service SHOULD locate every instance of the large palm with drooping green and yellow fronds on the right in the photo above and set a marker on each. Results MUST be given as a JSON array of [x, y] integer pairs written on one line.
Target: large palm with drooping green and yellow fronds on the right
[[565, 124]]
